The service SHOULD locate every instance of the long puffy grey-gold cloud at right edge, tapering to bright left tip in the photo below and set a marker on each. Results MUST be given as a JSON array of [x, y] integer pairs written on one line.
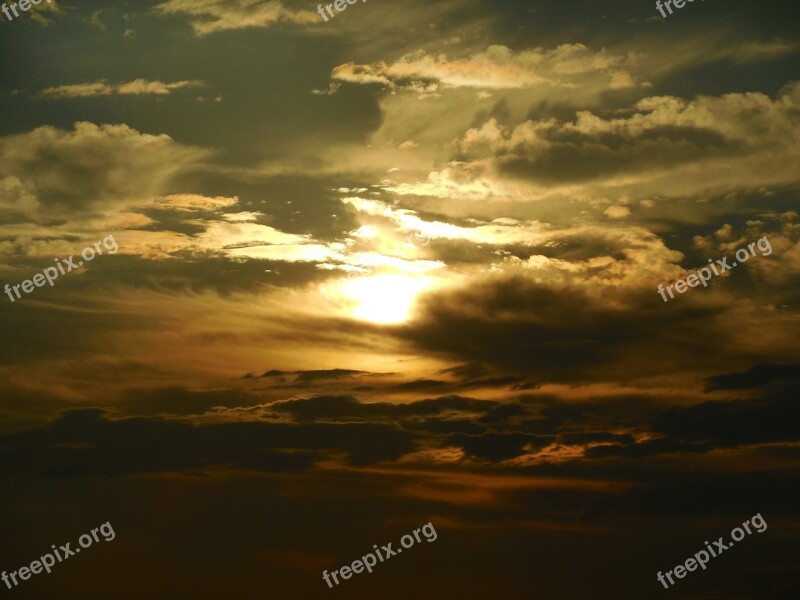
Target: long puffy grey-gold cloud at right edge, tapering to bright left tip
[[662, 145]]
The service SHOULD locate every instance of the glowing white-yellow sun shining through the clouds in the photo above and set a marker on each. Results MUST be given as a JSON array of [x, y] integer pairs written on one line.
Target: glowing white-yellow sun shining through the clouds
[[384, 298]]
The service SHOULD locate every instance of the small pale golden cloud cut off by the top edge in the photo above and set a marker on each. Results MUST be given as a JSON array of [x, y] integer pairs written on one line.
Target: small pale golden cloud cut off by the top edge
[[210, 16]]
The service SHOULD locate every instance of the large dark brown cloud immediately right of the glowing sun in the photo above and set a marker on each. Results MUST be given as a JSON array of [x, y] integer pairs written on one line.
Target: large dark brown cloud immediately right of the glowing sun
[[560, 333]]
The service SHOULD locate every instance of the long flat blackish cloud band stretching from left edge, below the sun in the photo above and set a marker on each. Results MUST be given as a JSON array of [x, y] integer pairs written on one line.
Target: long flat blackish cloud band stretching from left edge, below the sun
[[86, 442]]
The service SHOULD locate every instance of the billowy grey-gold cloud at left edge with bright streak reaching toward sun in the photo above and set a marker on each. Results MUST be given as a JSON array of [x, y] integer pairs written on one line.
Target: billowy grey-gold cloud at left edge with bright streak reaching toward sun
[[93, 178]]
